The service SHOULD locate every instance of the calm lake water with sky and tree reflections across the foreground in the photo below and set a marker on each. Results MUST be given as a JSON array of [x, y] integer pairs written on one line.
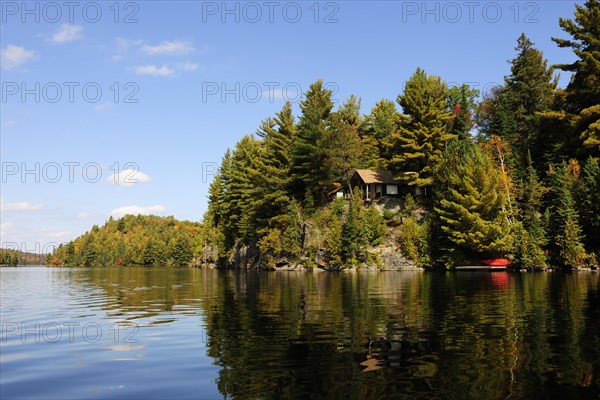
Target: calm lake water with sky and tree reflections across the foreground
[[147, 333]]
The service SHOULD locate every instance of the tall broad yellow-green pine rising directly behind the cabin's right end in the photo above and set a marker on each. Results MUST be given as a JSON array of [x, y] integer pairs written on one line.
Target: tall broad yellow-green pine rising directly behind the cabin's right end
[[422, 133]]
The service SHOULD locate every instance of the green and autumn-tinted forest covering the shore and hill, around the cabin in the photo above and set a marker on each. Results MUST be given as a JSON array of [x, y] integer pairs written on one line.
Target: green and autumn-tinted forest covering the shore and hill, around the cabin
[[513, 173]]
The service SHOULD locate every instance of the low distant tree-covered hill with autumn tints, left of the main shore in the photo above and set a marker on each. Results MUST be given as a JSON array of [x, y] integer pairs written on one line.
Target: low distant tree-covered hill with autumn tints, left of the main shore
[[132, 241]]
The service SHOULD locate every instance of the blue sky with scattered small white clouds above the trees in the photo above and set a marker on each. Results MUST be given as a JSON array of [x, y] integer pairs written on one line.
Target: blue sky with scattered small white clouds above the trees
[[155, 92]]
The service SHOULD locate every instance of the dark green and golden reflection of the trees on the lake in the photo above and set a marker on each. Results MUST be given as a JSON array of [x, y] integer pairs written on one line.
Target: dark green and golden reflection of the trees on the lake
[[381, 335]]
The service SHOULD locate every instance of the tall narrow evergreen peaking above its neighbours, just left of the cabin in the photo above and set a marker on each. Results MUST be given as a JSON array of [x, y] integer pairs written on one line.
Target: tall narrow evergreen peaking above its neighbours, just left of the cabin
[[307, 159]]
